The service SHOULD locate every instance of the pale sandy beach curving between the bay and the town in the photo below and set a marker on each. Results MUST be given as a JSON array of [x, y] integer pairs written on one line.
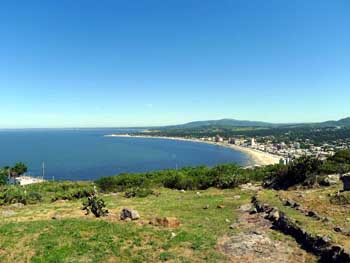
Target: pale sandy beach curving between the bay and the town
[[257, 158]]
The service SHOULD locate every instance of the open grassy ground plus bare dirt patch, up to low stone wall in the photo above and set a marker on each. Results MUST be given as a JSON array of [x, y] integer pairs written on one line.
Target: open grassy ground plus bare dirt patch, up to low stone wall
[[215, 226]]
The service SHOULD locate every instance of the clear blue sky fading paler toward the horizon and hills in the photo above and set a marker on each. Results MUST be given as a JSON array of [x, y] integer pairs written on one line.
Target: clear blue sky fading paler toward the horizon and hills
[[78, 63]]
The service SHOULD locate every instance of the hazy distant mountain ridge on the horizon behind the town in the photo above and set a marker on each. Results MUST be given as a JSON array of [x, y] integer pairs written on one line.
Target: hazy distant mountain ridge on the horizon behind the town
[[245, 123]]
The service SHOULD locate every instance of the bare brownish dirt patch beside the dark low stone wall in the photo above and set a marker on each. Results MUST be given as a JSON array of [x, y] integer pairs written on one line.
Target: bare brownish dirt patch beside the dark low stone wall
[[257, 242]]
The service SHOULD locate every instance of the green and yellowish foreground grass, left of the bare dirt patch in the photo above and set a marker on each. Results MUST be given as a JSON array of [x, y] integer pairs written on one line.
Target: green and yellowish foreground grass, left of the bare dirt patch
[[32, 236]]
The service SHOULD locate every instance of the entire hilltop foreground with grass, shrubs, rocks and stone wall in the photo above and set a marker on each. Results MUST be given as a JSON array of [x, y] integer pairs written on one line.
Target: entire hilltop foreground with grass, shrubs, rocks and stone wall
[[280, 213]]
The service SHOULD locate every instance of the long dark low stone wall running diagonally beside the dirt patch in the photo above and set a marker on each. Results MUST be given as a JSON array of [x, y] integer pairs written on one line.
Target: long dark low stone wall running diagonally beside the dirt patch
[[319, 245]]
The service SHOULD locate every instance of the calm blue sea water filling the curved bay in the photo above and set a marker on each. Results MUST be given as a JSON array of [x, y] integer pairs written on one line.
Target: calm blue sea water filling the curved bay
[[86, 154]]
